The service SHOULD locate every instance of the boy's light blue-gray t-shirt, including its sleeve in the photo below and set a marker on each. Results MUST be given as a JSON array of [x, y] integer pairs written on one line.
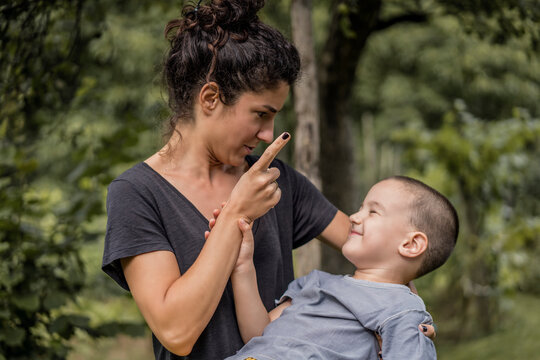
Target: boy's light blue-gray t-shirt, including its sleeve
[[335, 317]]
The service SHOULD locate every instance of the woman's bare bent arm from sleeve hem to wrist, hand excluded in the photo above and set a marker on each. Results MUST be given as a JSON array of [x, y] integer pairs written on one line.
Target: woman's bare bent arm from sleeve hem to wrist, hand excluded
[[178, 307]]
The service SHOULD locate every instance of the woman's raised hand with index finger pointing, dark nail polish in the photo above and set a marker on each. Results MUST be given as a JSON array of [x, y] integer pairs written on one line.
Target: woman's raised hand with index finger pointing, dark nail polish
[[257, 190]]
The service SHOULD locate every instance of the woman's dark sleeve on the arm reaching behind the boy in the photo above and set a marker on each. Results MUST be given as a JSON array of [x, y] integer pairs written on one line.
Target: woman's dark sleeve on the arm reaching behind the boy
[[312, 211]]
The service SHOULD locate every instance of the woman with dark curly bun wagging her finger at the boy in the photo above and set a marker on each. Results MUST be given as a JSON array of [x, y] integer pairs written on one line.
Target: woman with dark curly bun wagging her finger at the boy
[[228, 75]]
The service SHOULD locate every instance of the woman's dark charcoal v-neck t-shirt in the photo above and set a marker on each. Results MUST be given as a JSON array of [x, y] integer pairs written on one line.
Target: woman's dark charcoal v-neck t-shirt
[[146, 213]]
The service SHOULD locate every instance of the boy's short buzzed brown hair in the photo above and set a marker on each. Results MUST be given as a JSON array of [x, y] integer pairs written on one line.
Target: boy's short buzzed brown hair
[[433, 214]]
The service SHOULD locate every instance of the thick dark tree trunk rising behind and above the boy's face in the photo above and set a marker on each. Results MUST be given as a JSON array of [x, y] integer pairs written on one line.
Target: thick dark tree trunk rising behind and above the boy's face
[[351, 25]]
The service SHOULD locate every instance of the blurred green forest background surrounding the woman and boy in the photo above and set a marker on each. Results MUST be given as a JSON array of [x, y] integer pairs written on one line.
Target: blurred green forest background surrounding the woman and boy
[[444, 91]]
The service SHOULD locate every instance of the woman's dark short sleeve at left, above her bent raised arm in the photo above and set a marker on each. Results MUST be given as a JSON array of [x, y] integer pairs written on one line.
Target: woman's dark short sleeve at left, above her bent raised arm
[[133, 227]]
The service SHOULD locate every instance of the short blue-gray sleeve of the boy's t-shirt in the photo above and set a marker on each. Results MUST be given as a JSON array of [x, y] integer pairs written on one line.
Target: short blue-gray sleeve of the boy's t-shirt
[[401, 338]]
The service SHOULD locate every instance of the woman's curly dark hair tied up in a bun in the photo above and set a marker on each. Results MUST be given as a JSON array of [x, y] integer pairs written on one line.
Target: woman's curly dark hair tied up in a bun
[[224, 42]]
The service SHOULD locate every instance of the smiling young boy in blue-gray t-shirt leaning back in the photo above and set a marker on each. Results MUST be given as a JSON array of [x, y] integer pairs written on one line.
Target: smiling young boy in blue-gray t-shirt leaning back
[[403, 230]]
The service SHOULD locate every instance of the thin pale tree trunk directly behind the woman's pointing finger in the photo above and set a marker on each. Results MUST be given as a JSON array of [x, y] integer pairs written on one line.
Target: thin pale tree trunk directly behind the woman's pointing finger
[[306, 146]]
